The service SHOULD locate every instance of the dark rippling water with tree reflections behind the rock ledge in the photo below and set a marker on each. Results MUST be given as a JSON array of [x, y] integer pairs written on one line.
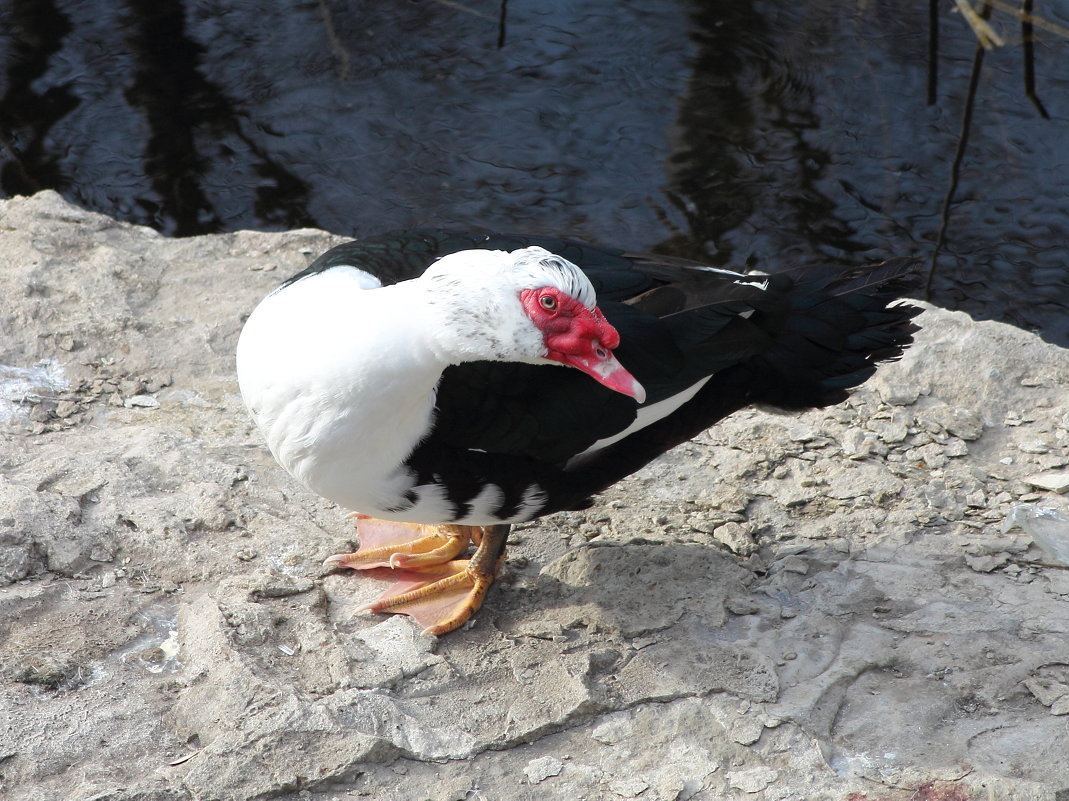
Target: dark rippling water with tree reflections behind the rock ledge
[[761, 134]]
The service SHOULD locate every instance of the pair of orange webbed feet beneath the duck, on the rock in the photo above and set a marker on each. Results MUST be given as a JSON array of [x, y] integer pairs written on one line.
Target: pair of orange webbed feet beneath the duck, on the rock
[[438, 591]]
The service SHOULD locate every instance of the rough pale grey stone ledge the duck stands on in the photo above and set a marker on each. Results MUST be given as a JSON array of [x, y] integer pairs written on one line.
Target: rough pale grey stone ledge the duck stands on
[[820, 607]]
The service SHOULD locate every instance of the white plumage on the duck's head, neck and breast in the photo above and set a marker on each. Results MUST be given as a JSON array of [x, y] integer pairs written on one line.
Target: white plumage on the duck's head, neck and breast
[[339, 373]]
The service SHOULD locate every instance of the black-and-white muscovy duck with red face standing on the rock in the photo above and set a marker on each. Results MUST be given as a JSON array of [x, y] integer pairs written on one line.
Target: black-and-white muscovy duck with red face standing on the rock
[[415, 378]]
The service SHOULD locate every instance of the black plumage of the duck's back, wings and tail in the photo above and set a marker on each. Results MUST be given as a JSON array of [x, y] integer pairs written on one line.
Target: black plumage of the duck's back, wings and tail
[[795, 341]]
